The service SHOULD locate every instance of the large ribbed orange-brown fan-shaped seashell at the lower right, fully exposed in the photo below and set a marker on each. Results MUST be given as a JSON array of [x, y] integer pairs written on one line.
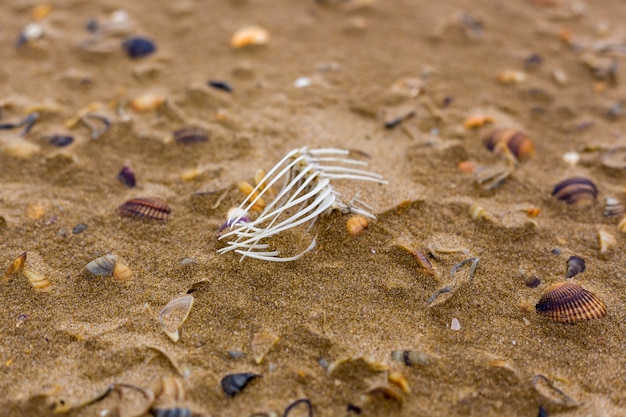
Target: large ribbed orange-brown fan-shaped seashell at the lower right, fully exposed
[[567, 302]]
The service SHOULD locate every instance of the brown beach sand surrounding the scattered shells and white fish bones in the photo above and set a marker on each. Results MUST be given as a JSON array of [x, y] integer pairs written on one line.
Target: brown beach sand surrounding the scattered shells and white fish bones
[[342, 309]]
